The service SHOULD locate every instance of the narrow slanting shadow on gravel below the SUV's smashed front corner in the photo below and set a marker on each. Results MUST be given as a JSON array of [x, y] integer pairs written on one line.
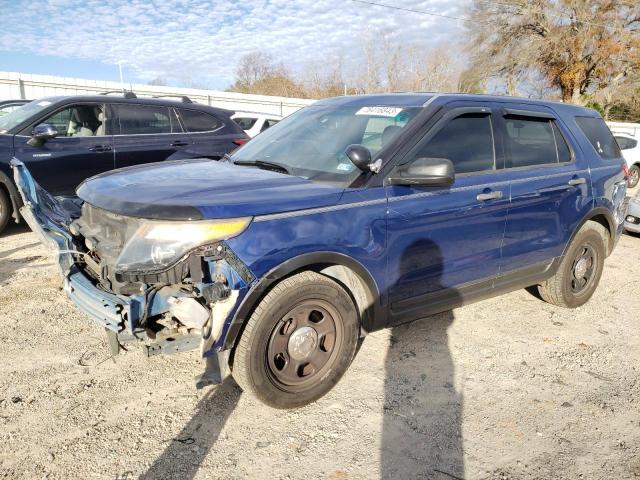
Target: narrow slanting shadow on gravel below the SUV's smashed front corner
[[183, 457]]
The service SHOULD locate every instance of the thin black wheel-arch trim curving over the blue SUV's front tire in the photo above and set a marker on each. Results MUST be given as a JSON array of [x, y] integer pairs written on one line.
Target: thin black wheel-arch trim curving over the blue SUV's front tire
[[251, 299]]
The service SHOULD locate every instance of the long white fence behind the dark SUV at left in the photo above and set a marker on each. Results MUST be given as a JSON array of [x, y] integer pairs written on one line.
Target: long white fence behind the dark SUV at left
[[20, 85]]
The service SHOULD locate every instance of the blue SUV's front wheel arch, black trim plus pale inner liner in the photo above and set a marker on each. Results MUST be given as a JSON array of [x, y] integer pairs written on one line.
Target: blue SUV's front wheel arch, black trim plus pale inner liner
[[351, 274]]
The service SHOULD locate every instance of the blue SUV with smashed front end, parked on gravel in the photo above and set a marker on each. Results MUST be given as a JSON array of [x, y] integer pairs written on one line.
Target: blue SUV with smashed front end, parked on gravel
[[353, 214]]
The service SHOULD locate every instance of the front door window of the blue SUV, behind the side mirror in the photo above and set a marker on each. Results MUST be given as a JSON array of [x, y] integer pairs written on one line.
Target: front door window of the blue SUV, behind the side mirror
[[466, 140]]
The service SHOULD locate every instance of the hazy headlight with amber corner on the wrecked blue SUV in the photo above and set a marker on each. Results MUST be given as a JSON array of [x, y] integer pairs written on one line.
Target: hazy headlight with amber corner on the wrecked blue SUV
[[157, 245]]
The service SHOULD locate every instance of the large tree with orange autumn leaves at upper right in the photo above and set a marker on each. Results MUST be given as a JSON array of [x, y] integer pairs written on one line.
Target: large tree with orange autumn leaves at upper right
[[581, 47]]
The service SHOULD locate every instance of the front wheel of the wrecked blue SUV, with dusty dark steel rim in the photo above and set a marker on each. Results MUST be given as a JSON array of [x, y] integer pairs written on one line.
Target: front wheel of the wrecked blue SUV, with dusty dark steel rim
[[298, 343]]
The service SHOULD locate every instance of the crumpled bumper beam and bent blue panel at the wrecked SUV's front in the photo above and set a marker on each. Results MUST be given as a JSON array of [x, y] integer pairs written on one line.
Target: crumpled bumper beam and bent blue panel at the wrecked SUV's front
[[50, 221]]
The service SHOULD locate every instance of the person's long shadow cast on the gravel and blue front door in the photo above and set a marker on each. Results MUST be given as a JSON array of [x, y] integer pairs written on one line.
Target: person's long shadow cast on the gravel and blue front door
[[422, 418]]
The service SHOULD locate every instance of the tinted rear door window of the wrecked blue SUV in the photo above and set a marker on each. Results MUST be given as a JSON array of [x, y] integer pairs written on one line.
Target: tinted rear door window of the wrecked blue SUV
[[530, 141]]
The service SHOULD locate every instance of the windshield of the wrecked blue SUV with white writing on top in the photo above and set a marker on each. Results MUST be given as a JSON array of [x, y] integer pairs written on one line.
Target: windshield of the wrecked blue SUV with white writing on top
[[311, 142]]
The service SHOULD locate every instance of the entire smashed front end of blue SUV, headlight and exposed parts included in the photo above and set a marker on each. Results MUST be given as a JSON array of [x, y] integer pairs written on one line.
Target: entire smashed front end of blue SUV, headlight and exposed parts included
[[171, 285]]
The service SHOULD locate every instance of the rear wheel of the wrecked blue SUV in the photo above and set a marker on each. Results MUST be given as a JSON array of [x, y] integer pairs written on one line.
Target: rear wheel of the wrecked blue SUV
[[580, 269]]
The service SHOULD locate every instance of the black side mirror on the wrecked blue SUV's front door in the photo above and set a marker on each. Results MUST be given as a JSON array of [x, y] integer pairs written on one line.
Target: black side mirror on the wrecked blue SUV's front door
[[431, 172]]
